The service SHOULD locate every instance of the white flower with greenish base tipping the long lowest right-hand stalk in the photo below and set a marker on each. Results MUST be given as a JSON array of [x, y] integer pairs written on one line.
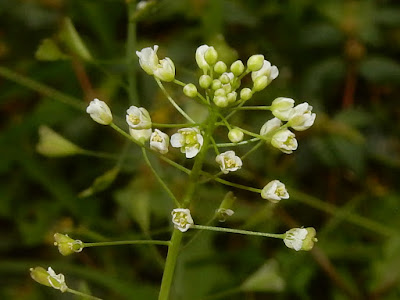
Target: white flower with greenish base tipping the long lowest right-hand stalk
[[300, 238]]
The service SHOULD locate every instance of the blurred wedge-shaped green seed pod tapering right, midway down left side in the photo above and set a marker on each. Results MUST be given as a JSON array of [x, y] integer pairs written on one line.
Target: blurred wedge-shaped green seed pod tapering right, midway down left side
[[54, 145]]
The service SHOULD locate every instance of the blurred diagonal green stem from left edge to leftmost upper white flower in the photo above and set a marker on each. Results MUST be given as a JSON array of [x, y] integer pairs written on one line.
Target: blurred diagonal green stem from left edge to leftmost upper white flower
[[41, 88]]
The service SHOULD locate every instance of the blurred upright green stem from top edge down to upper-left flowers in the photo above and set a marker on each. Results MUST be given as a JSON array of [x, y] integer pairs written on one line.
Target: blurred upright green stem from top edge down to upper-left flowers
[[130, 54]]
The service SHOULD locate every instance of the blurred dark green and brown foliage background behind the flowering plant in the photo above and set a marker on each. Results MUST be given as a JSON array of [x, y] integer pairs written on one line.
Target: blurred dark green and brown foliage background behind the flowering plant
[[340, 56]]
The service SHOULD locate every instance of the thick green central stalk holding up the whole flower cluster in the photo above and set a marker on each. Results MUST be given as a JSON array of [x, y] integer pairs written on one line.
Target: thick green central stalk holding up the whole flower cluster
[[176, 238]]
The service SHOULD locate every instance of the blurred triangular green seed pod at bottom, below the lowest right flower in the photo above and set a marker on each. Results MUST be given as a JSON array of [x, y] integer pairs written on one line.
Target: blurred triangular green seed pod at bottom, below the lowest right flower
[[265, 279]]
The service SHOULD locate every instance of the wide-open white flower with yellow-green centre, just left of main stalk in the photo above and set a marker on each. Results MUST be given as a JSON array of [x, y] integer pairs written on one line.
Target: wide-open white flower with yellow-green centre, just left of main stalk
[[189, 140]]
